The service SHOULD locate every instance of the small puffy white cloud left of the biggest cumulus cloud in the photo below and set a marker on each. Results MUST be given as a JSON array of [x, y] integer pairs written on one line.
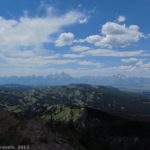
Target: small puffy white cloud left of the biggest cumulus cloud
[[65, 39]]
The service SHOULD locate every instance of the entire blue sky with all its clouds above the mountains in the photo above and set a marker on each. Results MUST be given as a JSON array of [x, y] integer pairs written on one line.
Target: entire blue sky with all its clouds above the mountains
[[78, 37]]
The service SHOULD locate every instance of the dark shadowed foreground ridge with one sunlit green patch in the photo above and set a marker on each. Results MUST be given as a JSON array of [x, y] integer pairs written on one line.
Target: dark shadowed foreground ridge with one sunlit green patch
[[71, 128]]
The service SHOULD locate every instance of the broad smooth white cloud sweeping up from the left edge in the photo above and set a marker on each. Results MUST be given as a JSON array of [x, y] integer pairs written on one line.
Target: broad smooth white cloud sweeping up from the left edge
[[33, 31]]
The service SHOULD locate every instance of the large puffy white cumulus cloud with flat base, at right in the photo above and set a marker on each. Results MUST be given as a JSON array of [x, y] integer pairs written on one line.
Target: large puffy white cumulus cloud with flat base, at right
[[115, 35]]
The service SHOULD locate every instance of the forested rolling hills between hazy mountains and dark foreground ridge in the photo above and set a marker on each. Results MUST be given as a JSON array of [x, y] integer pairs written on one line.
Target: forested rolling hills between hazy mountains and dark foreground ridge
[[24, 99]]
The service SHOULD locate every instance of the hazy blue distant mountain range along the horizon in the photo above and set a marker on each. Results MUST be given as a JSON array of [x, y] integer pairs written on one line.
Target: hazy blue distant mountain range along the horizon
[[119, 81]]
